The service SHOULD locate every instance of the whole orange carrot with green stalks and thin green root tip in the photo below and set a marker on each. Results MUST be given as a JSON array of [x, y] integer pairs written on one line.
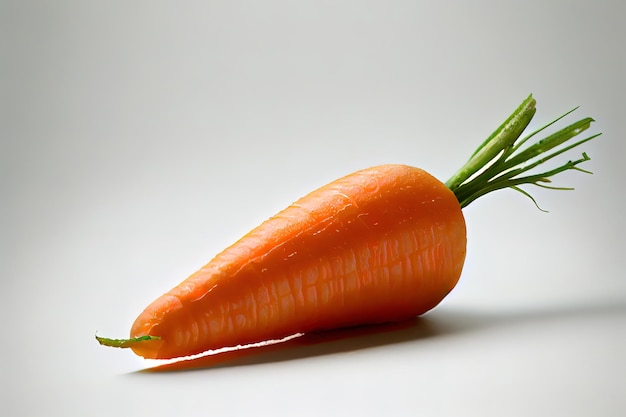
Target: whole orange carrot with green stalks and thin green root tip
[[383, 244]]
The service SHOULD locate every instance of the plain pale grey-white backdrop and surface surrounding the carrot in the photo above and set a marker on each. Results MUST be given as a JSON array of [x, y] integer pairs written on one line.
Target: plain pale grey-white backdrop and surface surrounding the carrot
[[140, 138]]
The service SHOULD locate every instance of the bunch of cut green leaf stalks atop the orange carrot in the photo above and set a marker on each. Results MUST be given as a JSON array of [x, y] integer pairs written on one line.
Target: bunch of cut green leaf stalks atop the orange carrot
[[501, 160]]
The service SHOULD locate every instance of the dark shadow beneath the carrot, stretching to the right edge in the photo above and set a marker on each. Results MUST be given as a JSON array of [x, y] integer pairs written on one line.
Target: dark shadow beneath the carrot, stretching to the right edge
[[441, 323]]
